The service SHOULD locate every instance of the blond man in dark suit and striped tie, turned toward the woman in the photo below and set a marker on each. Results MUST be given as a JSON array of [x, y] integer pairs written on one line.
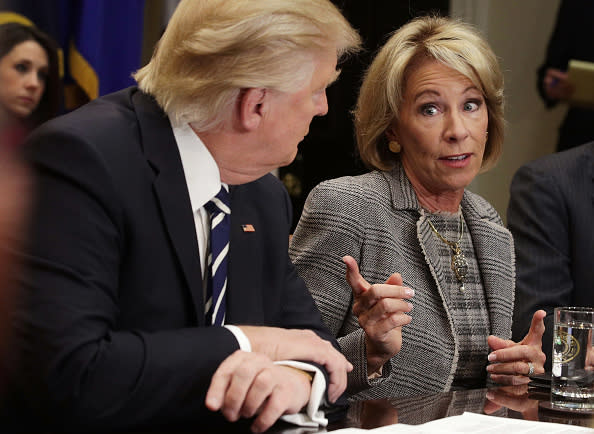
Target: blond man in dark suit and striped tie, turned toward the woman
[[118, 333]]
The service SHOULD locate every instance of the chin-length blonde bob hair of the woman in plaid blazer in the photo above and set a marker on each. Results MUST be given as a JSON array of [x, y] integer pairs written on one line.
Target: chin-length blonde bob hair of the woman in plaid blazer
[[455, 44]]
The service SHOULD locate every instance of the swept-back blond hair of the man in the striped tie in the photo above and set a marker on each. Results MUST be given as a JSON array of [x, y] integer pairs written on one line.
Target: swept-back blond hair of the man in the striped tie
[[212, 49]]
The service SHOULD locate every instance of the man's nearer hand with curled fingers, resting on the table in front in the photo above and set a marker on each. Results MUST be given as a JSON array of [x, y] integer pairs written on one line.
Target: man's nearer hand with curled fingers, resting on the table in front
[[250, 384]]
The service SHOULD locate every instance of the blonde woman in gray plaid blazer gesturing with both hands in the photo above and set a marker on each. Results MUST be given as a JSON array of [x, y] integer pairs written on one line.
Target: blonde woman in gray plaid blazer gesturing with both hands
[[429, 118]]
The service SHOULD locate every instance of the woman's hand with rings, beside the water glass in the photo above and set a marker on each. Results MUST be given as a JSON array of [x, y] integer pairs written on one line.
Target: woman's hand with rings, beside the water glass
[[512, 360]]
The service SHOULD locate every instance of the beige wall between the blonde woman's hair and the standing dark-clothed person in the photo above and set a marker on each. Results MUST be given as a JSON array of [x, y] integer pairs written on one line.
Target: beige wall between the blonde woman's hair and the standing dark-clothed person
[[518, 31]]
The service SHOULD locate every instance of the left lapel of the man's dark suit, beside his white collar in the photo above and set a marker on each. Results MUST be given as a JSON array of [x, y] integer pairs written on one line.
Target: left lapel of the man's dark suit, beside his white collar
[[171, 192]]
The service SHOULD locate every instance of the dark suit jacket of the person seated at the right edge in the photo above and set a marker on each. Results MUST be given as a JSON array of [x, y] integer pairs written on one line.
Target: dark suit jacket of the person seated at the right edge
[[550, 215]]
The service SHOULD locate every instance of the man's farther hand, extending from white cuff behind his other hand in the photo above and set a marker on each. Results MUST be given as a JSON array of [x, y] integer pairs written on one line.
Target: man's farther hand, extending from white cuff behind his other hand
[[303, 345]]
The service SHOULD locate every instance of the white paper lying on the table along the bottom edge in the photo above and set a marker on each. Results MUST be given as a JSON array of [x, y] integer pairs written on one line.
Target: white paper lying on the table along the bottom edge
[[474, 423]]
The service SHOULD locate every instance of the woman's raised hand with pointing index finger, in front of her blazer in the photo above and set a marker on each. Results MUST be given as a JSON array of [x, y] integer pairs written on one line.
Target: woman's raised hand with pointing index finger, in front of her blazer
[[381, 311]]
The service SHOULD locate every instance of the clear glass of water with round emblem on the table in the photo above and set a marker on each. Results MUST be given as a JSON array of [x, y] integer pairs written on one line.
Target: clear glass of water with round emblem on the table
[[572, 382]]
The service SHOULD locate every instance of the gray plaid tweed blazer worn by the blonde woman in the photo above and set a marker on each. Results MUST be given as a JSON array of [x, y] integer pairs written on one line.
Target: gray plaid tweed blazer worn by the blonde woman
[[376, 219]]
